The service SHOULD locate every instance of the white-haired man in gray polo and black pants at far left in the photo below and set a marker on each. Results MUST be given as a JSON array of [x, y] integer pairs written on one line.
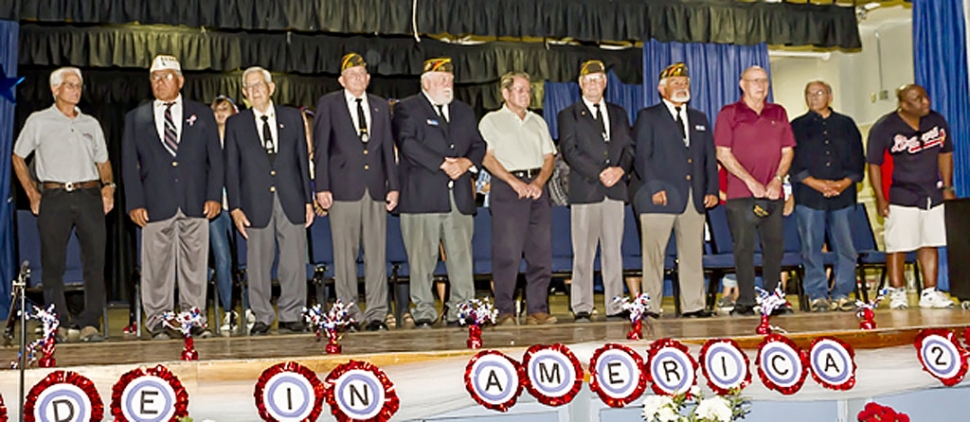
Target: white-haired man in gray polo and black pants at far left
[[76, 191]]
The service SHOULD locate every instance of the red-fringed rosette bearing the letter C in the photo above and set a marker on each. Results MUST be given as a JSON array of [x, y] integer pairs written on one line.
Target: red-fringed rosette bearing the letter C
[[787, 365]]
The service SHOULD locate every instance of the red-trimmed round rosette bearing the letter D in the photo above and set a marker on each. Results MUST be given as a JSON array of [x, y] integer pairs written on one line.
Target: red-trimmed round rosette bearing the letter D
[[63, 396]]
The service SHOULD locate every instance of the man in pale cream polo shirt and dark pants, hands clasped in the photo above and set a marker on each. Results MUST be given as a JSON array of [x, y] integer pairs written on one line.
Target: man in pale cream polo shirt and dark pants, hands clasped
[[520, 157]]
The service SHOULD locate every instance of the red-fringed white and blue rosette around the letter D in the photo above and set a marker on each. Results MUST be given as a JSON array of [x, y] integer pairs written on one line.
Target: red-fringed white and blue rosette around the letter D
[[64, 385]]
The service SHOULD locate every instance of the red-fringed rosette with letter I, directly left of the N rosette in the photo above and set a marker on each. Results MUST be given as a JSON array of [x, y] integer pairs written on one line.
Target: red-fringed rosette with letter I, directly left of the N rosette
[[291, 375]]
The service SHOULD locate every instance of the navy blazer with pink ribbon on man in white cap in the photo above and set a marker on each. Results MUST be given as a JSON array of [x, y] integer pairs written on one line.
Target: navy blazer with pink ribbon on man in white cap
[[162, 184]]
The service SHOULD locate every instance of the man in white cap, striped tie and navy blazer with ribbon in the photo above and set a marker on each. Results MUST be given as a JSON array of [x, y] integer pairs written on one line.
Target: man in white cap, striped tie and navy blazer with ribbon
[[173, 170]]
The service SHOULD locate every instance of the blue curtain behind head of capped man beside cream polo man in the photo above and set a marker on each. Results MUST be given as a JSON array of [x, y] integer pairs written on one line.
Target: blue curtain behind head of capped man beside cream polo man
[[559, 95]]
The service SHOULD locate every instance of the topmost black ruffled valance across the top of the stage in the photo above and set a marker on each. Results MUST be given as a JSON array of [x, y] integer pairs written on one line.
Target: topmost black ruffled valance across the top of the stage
[[704, 21]]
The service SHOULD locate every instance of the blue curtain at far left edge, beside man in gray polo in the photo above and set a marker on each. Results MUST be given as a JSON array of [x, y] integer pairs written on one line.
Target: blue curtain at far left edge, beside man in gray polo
[[9, 40]]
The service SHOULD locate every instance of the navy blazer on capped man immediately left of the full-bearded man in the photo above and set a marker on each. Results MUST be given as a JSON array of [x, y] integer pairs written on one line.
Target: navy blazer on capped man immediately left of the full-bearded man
[[343, 164]]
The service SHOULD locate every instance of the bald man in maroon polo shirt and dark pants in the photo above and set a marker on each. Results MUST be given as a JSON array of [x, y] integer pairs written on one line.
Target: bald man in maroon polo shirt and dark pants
[[755, 144]]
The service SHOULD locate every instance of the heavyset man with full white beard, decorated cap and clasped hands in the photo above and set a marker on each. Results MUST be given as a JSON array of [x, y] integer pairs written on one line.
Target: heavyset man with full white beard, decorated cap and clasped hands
[[439, 144]]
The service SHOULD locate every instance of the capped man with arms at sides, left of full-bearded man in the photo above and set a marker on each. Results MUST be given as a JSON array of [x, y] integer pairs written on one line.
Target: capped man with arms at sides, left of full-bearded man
[[356, 178]]
